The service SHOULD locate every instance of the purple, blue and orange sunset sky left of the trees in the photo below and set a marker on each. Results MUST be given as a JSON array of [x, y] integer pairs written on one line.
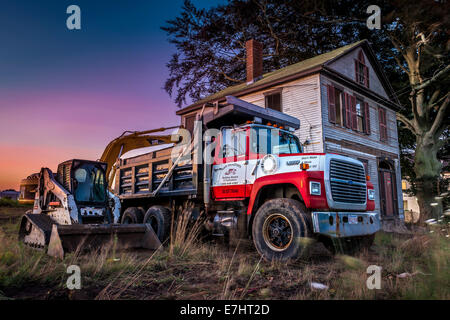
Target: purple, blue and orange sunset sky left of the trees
[[67, 93]]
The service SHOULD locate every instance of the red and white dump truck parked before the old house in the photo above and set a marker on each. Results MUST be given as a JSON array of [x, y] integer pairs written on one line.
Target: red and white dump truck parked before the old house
[[259, 183]]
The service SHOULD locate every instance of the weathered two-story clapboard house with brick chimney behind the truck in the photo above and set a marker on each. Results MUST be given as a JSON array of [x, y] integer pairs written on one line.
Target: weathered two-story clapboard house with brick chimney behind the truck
[[345, 105]]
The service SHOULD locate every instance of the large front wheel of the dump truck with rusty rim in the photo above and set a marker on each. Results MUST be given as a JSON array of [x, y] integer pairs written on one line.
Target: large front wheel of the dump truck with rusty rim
[[278, 227]]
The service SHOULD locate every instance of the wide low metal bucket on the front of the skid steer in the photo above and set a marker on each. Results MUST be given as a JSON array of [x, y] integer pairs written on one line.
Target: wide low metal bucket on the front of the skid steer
[[70, 238]]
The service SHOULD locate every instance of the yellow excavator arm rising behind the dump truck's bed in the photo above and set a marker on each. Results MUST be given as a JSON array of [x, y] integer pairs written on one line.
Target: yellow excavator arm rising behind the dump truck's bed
[[131, 140]]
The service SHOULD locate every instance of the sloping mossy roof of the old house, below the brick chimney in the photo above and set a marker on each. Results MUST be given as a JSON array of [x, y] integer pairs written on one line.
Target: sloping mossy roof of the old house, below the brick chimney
[[296, 70]]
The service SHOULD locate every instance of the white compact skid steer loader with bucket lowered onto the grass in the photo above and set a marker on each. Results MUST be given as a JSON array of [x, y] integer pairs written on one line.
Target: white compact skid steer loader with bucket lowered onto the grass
[[74, 210]]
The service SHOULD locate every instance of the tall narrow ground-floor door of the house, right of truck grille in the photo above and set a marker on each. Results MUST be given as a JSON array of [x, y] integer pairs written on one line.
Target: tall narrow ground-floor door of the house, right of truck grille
[[388, 194]]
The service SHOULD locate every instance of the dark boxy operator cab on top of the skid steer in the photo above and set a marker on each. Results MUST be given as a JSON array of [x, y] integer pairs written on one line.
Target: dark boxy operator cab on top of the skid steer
[[86, 180]]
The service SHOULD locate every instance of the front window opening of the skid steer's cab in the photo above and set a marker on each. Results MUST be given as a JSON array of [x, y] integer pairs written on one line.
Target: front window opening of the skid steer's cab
[[89, 183]]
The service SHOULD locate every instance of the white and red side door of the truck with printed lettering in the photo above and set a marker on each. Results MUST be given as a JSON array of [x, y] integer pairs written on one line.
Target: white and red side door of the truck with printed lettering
[[230, 166]]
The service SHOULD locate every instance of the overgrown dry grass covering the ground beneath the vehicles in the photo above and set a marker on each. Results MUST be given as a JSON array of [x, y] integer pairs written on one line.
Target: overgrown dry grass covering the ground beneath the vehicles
[[187, 268]]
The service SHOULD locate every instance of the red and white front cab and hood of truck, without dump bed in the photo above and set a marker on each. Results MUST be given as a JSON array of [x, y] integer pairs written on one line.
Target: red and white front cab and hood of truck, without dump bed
[[329, 194]]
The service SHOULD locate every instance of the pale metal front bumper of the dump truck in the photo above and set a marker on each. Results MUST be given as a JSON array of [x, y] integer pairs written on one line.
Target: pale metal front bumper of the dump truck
[[345, 224]]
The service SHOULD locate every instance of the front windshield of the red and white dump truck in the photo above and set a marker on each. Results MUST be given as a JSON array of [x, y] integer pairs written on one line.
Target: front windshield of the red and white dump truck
[[271, 140]]
